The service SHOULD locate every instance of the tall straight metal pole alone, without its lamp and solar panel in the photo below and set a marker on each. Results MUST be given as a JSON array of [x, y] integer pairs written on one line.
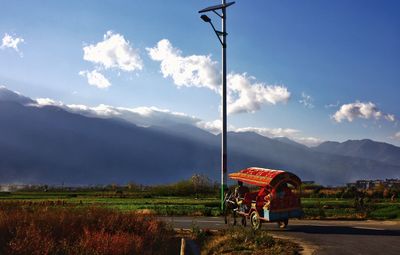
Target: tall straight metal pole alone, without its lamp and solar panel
[[224, 159]]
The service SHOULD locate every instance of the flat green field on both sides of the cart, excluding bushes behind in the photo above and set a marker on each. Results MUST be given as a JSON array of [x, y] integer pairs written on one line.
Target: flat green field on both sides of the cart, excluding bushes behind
[[318, 208]]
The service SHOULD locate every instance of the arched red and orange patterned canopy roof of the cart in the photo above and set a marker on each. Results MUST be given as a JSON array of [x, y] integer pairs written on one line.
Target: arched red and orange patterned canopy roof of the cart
[[263, 176]]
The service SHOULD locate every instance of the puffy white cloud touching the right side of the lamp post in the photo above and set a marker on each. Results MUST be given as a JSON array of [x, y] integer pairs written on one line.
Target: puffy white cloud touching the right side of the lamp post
[[245, 95]]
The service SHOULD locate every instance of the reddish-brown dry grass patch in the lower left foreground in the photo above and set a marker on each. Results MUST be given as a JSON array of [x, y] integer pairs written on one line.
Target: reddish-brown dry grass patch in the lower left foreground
[[51, 230]]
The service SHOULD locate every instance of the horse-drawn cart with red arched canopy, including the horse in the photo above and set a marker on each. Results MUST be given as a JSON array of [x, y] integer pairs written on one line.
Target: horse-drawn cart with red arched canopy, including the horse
[[277, 199]]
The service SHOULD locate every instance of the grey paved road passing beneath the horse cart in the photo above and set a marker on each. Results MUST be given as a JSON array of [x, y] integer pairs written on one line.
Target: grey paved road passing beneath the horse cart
[[322, 237]]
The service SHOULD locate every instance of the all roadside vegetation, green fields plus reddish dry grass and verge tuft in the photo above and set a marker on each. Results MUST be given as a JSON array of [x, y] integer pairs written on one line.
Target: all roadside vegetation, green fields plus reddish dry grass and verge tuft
[[116, 219]]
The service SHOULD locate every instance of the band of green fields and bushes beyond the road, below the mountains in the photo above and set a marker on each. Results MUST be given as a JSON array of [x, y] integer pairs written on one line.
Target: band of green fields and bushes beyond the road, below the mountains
[[199, 196]]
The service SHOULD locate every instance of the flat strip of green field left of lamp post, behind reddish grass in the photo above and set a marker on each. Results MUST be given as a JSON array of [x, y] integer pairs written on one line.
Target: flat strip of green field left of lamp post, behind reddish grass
[[130, 202]]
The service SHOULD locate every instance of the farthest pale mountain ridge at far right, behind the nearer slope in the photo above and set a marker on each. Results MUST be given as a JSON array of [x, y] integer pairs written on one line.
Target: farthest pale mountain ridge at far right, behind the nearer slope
[[366, 148]]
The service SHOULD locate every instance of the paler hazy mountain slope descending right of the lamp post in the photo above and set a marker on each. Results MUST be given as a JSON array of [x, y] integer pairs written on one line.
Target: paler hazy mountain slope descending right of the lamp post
[[310, 165]]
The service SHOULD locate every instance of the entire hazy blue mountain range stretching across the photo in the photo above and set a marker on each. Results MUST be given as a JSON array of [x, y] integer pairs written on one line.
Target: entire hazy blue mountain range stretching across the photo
[[52, 145]]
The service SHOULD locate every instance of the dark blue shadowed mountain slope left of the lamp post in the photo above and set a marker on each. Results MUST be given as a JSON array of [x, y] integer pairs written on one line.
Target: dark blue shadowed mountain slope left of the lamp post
[[51, 145]]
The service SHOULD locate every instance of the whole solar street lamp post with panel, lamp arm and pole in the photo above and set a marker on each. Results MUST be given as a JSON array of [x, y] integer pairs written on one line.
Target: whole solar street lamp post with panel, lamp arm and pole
[[222, 39]]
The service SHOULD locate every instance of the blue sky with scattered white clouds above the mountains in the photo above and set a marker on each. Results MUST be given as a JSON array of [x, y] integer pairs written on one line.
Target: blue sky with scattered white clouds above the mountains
[[312, 71]]
